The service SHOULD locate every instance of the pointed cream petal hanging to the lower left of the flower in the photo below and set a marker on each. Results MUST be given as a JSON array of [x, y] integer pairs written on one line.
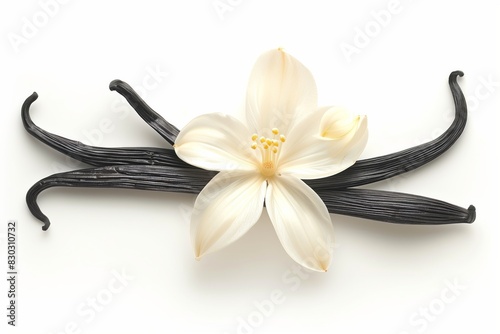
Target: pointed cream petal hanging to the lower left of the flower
[[228, 206]]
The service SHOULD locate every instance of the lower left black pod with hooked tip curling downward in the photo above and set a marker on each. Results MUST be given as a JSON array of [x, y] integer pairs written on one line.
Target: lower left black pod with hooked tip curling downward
[[159, 178]]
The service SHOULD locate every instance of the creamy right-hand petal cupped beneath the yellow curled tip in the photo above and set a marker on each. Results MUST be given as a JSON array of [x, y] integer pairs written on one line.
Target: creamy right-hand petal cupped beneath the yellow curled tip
[[307, 155]]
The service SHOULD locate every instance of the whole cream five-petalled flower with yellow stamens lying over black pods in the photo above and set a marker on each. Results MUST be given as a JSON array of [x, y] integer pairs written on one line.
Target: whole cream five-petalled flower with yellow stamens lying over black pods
[[286, 138]]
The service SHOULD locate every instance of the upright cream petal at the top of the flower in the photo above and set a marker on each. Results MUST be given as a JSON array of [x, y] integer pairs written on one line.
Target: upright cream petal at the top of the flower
[[280, 90]]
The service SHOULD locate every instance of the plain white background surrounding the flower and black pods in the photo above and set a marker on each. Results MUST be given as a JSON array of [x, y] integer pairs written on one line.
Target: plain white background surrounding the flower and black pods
[[383, 278]]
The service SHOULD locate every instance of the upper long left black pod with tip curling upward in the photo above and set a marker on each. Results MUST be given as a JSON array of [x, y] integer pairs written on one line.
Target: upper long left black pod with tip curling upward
[[99, 156]]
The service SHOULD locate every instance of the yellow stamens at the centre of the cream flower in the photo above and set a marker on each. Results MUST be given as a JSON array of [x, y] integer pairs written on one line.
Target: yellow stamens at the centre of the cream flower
[[269, 149]]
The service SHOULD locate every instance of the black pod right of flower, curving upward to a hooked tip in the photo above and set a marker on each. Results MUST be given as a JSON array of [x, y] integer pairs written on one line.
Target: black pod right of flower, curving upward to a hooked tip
[[386, 166]]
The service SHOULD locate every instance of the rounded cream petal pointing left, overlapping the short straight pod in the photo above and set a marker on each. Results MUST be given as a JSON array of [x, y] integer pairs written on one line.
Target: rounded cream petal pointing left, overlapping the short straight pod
[[216, 142]]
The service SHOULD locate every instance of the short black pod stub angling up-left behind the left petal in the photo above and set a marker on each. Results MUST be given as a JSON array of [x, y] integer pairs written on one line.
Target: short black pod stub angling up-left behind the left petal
[[151, 117]]
